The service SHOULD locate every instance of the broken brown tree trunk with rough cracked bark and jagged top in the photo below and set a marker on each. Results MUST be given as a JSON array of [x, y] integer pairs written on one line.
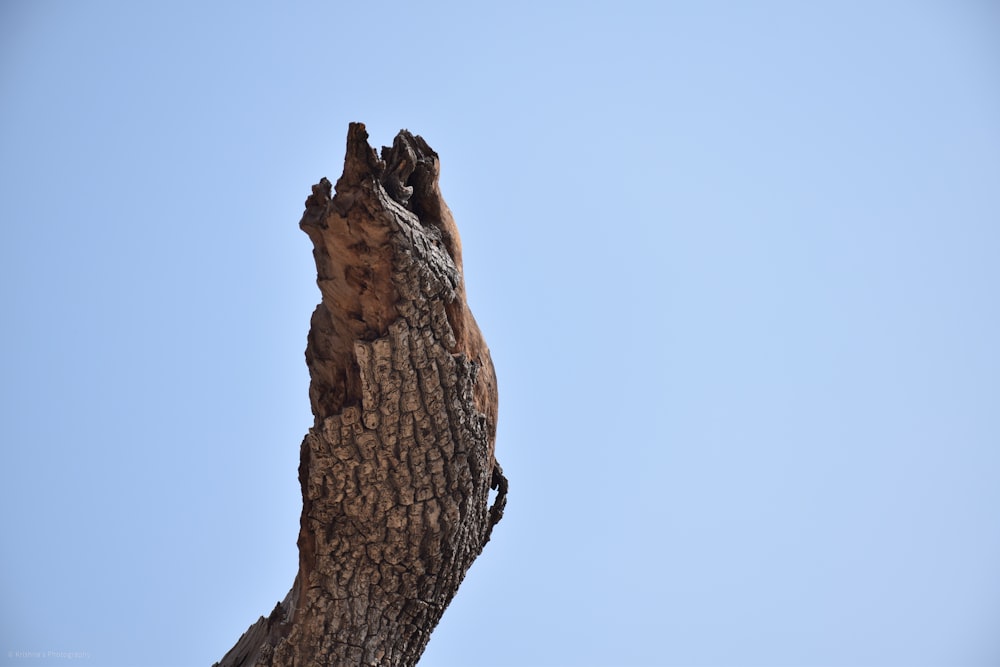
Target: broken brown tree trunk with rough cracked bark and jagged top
[[397, 468]]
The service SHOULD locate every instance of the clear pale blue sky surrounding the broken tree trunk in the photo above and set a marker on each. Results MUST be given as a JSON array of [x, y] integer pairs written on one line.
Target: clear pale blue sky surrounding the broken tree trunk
[[738, 264]]
